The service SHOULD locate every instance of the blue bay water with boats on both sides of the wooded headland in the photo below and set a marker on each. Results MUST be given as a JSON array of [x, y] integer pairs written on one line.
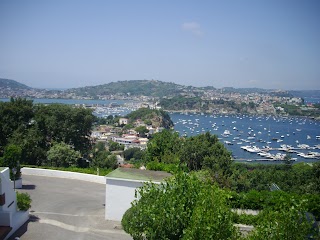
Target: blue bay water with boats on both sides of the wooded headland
[[242, 130]]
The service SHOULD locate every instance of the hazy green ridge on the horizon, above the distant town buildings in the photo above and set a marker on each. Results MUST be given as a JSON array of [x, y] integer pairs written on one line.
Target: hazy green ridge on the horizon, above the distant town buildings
[[150, 88]]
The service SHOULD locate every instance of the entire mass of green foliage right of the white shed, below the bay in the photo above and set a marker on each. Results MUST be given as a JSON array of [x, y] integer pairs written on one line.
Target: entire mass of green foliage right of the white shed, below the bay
[[158, 213]]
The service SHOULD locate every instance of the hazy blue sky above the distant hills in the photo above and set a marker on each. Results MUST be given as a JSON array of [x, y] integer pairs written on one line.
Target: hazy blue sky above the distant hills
[[225, 43]]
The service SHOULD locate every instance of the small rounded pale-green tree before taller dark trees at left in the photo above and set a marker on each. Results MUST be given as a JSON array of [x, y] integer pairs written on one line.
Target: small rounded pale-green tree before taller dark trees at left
[[62, 155]]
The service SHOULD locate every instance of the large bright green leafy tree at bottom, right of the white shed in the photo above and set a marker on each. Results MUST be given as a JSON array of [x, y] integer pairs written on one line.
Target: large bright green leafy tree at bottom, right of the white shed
[[177, 209]]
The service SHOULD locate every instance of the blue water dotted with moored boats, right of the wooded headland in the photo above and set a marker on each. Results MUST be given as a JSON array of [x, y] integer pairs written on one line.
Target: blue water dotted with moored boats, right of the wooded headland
[[260, 131]]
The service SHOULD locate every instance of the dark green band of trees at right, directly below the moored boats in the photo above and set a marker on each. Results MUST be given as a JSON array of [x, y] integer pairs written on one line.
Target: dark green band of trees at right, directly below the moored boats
[[299, 178]]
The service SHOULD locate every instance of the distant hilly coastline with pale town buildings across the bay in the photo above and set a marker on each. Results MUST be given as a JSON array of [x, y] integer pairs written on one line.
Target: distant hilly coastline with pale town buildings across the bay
[[203, 99]]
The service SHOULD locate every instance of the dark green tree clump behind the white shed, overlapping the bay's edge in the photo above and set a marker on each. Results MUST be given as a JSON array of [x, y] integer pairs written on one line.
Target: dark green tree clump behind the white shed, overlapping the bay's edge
[[203, 151]]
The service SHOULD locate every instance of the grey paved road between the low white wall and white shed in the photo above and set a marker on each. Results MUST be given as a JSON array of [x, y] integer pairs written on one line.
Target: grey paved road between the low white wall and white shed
[[67, 209]]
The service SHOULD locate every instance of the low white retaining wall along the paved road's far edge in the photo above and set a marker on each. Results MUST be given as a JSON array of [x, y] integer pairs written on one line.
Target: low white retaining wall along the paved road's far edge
[[63, 174]]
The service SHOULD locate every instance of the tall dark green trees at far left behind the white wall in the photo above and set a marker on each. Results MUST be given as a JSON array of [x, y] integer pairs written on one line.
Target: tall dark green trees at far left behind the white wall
[[34, 128]]
